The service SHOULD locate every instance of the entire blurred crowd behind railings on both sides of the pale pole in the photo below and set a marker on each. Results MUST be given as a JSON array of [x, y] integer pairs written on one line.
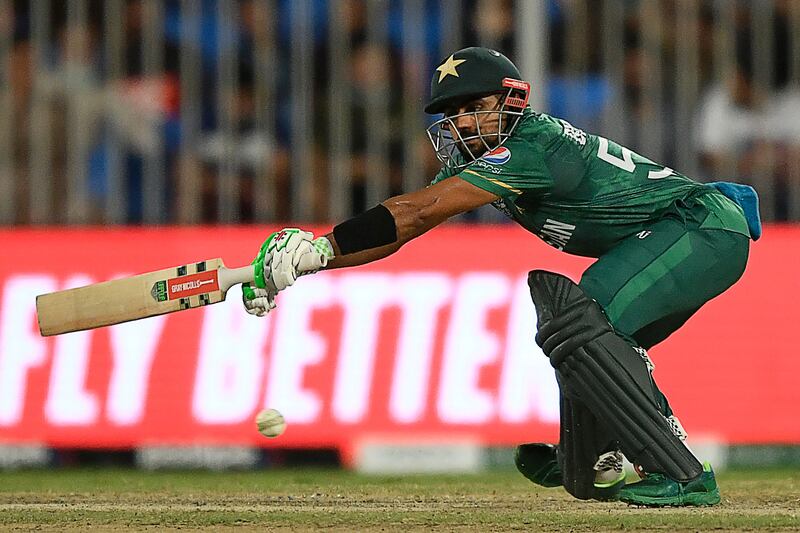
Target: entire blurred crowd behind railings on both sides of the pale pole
[[215, 102]]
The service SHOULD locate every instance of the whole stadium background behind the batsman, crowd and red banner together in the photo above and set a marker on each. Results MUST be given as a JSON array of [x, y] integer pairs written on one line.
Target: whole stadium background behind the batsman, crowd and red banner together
[[135, 135]]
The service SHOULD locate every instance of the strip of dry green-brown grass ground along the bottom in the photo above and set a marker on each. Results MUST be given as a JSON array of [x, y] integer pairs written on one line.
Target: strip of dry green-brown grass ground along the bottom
[[335, 500]]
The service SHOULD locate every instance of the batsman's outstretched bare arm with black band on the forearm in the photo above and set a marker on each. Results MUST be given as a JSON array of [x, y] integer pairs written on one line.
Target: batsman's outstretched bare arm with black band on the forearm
[[411, 215]]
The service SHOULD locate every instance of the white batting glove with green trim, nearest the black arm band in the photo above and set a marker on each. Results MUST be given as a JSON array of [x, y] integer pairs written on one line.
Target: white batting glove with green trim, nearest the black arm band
[[287, 254]]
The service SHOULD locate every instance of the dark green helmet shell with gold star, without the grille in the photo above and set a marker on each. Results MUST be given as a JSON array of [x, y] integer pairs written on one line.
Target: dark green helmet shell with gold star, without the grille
[[473, 71]]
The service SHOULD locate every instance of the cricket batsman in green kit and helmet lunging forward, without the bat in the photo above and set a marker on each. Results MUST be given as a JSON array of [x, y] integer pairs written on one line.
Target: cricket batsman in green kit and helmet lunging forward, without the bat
[[665, 245]]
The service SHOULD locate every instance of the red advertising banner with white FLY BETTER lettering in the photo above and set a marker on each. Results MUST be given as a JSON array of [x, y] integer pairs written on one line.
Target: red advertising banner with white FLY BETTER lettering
[[433, 342]]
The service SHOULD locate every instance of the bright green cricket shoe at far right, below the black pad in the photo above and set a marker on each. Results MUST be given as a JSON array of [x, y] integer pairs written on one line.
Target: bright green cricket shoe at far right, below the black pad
[[657, 490]]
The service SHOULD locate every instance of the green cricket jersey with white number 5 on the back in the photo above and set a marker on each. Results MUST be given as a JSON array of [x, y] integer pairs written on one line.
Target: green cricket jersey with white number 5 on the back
[[582, 193]]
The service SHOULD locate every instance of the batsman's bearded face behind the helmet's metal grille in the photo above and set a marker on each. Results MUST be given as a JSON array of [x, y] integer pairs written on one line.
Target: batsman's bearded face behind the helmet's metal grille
[[477, 125]]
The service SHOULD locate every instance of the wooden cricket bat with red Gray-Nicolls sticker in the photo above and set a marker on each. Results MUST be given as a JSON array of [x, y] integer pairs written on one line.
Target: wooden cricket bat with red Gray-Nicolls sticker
[[145, 295]]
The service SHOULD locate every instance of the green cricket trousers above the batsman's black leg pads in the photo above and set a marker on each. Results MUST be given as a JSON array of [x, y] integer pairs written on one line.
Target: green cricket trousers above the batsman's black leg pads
[[652, 282]]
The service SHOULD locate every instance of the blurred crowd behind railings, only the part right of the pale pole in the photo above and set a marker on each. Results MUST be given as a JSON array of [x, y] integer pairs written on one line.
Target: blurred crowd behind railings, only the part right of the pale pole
[[716, 84]]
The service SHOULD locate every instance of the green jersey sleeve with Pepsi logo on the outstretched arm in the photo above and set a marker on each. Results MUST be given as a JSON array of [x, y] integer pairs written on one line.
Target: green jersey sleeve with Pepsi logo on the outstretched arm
[[511, 170]]
